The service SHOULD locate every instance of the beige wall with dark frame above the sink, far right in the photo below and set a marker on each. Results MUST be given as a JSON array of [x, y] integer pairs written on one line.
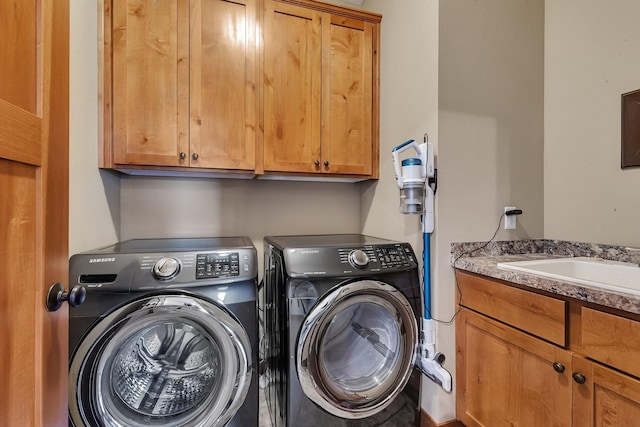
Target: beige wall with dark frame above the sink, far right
[[592, 56]]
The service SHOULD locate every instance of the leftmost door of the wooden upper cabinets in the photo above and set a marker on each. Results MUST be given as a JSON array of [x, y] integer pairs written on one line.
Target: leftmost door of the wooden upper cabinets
[[150, 78]]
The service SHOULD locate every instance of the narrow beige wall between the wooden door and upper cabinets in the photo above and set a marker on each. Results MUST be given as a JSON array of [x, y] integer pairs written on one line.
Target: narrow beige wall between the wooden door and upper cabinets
[[94, 195]]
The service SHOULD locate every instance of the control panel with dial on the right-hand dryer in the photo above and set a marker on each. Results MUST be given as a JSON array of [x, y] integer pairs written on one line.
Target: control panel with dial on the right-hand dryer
[[349, 261]]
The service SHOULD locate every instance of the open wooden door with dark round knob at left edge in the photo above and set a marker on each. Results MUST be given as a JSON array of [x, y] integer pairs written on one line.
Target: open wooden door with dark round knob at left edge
[[34, 58]]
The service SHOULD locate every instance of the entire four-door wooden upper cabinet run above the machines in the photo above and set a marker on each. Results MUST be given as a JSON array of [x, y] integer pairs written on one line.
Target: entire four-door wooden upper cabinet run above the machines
[[253, 86]]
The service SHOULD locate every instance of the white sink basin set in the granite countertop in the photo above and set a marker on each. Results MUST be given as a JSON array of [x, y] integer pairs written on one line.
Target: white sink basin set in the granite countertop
[[594, 272]]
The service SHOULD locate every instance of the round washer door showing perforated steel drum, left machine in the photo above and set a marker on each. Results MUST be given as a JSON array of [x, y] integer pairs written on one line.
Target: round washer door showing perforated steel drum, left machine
[[169, 360]]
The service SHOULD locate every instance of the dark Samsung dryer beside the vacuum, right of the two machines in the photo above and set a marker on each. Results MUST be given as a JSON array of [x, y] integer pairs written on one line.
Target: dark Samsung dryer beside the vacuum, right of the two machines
[[341, 322]]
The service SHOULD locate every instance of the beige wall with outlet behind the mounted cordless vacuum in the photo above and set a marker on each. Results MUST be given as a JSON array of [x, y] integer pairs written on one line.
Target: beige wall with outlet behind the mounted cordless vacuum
[[471, 75]]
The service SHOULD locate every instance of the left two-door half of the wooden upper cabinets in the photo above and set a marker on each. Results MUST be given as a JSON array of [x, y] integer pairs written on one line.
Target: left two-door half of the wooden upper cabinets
[[179, 84]]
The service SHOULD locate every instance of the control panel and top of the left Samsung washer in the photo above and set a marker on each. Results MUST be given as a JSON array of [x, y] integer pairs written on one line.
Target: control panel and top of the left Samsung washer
[[149, 264]]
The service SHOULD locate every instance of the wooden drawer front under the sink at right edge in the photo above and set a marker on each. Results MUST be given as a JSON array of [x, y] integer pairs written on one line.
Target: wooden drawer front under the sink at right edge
[[611, 339]]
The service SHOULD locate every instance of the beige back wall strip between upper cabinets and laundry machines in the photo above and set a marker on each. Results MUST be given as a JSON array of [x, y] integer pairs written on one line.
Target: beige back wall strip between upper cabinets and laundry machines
[[190, 207]]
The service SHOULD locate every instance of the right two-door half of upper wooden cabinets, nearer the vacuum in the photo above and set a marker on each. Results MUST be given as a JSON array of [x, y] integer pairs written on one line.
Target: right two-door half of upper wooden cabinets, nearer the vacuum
[[320, 89]]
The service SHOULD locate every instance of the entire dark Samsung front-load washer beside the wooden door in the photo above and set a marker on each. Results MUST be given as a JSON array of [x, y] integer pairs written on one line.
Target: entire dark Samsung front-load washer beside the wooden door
[[167, 335]]
